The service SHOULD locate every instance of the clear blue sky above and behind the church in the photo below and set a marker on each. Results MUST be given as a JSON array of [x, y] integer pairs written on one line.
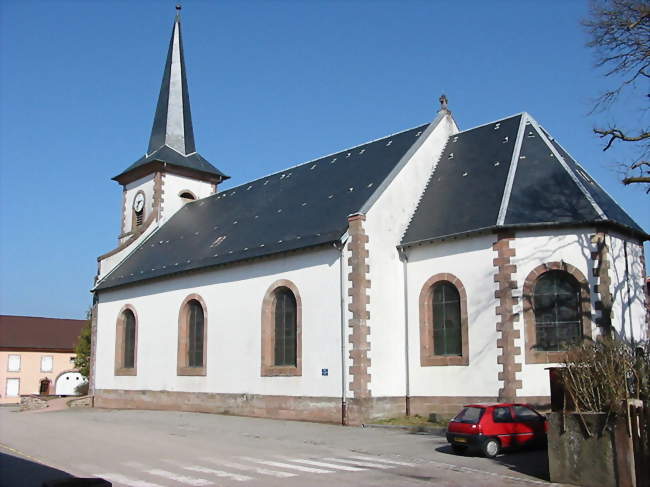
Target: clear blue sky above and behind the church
[[272, 83]]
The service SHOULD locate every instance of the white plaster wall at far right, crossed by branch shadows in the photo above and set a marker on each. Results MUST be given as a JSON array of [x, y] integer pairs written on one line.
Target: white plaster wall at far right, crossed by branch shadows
[[627, 275]]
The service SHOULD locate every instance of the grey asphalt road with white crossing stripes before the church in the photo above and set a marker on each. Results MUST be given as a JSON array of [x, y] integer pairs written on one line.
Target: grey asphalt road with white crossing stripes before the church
[[165, 448]]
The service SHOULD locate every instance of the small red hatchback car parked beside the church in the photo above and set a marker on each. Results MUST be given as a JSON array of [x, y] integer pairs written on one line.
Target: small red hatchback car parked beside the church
[[493, 427]]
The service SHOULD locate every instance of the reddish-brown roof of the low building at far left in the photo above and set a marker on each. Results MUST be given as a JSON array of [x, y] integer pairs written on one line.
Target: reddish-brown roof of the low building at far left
[[33, 333]]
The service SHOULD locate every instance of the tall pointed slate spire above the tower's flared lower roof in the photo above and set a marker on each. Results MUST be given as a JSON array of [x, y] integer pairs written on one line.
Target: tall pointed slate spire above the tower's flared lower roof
[[172, 125]]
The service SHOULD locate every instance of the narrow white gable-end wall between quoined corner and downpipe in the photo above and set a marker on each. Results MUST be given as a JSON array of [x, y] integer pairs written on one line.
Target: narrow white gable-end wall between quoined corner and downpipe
[[386, 221]]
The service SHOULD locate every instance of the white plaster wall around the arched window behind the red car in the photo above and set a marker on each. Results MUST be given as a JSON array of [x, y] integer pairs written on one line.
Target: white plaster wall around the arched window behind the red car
[[470, 260]]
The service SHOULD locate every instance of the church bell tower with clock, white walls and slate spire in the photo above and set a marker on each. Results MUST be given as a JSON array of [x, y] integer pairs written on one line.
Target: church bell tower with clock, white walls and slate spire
[[171, 173]]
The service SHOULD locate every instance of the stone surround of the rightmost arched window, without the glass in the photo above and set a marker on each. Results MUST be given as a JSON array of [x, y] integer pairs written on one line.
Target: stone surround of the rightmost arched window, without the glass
[[533, 356]]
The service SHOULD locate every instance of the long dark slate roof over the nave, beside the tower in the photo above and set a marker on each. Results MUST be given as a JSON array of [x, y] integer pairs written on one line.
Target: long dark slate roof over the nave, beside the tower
[[303, 206]]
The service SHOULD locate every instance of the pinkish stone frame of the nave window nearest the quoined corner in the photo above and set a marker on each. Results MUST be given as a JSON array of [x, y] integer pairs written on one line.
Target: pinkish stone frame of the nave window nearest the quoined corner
[[268, 367]]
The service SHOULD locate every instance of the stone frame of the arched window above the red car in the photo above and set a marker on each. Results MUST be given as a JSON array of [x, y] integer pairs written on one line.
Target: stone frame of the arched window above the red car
[[428, 358]]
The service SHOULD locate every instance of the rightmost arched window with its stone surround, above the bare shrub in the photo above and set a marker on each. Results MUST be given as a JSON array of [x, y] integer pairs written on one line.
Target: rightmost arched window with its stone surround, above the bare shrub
[[557, 311]]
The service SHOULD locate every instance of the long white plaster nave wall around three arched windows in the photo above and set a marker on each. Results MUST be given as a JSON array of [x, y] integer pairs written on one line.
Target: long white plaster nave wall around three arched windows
[[233, 296]]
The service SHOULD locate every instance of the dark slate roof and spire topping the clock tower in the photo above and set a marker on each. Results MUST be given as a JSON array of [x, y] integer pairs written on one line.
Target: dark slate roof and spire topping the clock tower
[[172, 134]]
